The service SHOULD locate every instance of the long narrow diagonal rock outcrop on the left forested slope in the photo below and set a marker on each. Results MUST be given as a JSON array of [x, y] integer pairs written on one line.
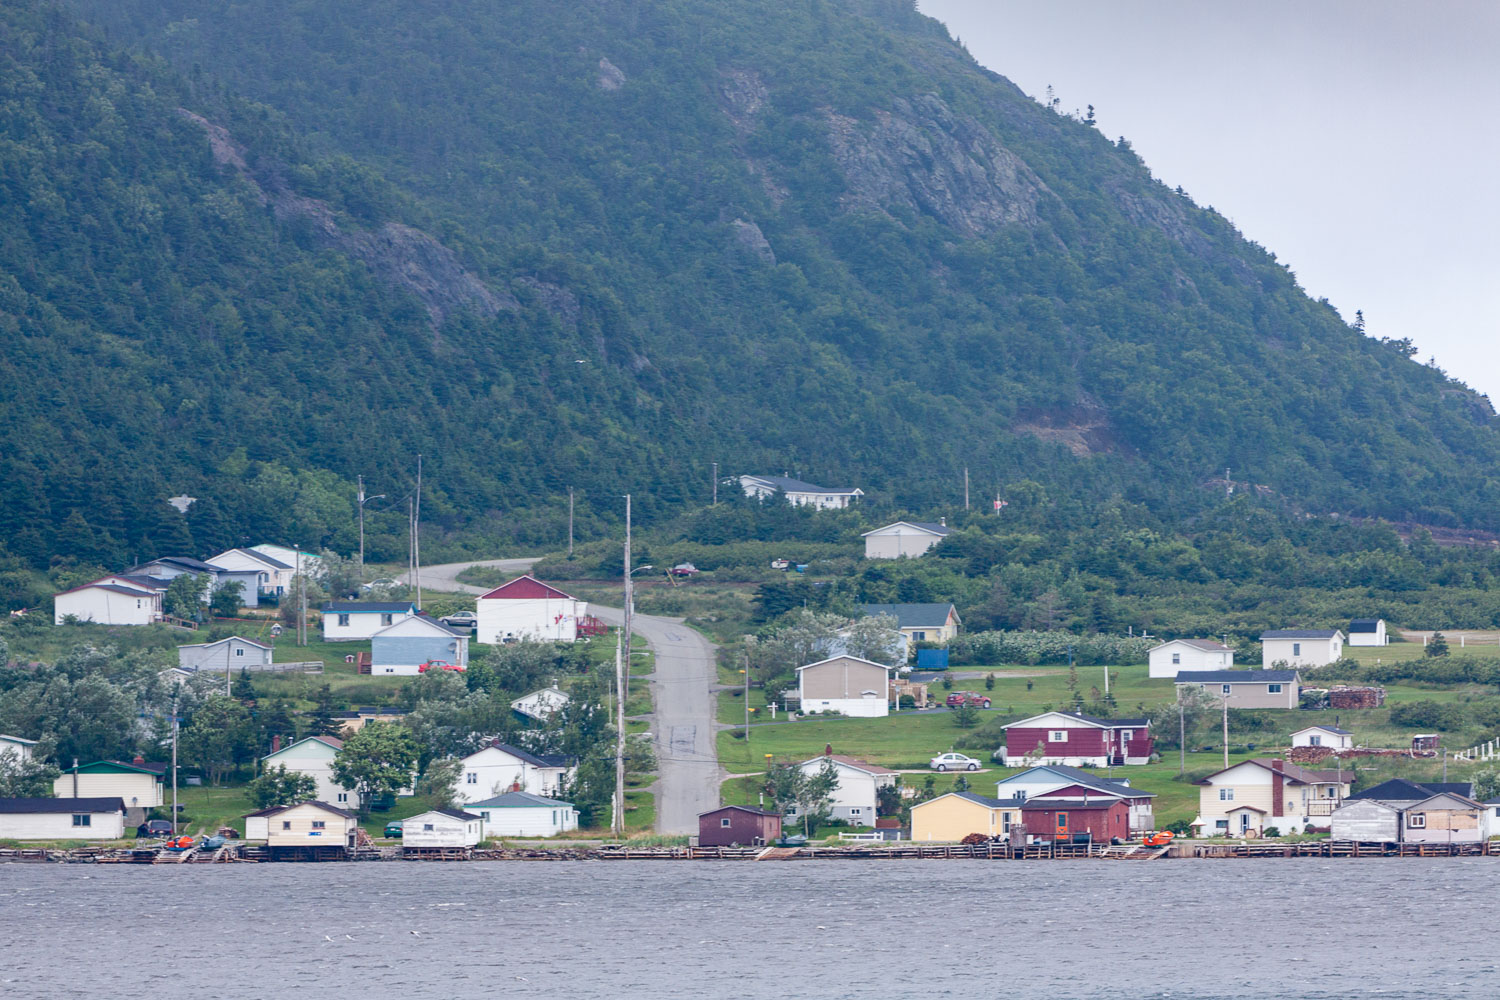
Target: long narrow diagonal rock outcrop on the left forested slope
[[398, 254]]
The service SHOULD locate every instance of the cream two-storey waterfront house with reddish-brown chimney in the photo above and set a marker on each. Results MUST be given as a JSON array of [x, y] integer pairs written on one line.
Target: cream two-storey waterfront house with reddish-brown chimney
[[1247, 798]]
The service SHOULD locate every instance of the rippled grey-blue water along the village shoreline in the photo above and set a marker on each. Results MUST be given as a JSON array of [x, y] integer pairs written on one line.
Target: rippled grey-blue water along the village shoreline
[[940, 929]]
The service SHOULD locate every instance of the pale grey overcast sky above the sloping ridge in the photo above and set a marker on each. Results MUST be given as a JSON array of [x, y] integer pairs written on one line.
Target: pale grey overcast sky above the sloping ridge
[[1354, 139]]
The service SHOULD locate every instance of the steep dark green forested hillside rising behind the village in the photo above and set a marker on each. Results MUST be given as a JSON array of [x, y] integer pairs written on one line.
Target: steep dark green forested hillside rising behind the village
[[610, 244]]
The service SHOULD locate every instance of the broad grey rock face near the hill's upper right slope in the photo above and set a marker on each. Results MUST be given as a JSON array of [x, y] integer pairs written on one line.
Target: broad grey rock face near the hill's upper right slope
[[923, 158]]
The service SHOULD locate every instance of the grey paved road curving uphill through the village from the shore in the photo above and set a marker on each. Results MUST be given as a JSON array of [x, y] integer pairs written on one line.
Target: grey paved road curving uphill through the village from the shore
[[685, 729]]
